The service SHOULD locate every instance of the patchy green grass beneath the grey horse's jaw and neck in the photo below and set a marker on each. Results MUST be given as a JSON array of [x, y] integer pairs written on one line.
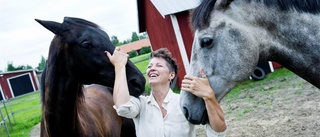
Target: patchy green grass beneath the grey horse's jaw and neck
[[244, 90]]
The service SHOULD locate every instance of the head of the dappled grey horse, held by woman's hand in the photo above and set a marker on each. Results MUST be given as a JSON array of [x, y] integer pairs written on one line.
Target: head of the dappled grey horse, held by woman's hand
[[228, 54]]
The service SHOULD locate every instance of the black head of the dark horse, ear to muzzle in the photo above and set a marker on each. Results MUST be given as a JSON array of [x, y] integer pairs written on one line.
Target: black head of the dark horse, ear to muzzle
[[78, 49]]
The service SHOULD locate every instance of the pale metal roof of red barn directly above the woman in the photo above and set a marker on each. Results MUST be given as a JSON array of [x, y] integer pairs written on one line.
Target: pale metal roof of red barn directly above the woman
[[167, 7]]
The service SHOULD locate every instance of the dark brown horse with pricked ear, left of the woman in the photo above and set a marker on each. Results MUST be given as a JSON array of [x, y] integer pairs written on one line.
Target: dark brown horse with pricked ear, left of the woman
[[76, 57]]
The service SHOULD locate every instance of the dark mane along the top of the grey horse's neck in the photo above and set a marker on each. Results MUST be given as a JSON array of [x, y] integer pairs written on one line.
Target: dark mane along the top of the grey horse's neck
[[310, 6]]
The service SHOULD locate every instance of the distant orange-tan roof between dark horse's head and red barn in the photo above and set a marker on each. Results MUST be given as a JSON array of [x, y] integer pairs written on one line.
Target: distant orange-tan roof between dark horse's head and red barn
[[136, 45]]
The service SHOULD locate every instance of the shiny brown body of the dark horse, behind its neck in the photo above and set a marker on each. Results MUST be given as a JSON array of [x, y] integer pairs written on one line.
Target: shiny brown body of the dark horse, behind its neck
[[96, 111]]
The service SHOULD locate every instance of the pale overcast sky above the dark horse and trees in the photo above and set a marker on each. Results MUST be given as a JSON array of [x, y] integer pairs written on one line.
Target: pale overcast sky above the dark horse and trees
[[23, 41]]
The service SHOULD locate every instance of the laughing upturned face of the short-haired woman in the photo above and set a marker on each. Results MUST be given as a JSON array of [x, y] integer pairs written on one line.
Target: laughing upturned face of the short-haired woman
[[158, 73]]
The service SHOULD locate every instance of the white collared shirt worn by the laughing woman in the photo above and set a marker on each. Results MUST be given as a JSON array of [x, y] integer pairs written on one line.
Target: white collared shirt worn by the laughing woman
[[149, 122]]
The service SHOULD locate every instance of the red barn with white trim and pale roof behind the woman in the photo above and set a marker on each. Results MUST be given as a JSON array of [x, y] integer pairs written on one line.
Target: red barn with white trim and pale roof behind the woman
[[167, 24]]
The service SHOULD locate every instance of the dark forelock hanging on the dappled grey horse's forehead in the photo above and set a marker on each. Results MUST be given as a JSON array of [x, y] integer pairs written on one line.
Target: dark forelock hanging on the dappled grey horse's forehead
[[201, 15]]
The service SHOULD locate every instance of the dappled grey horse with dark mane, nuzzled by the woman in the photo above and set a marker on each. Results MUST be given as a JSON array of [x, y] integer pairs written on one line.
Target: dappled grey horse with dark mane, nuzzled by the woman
[[232, 36]]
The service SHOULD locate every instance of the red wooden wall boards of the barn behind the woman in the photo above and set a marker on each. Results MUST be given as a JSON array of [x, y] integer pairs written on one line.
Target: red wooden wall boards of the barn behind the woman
[[161, 32]]
